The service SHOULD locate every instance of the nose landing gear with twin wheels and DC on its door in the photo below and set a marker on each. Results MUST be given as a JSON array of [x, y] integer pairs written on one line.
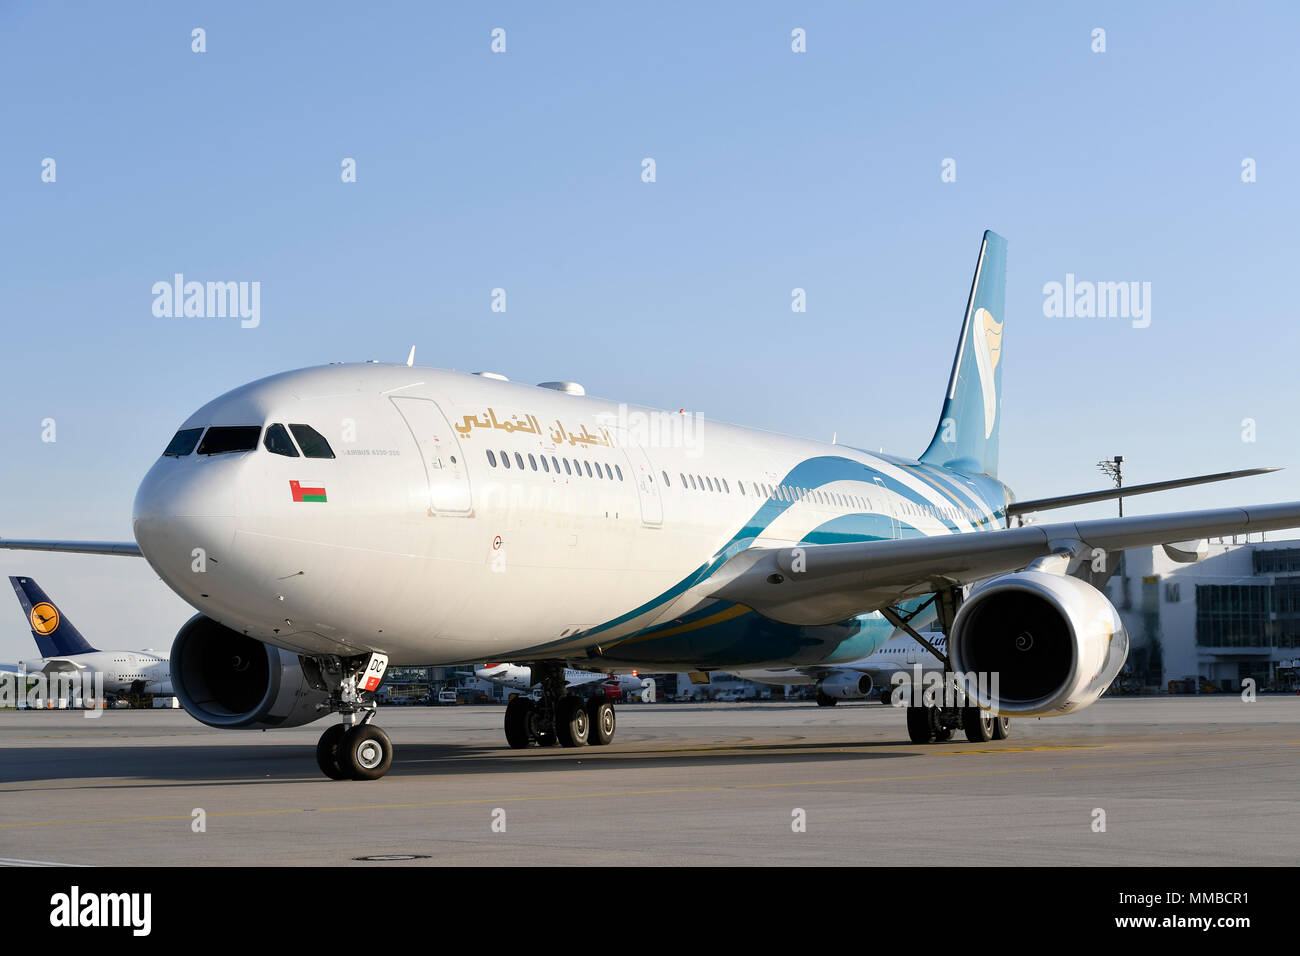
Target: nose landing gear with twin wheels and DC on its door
[[354, 750]]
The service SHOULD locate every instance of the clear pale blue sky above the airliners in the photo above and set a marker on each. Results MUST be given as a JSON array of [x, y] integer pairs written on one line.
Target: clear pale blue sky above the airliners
[[523, 171]]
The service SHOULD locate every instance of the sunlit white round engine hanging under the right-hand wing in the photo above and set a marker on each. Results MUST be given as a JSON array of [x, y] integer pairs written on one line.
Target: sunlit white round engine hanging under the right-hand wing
[[1054, 643]]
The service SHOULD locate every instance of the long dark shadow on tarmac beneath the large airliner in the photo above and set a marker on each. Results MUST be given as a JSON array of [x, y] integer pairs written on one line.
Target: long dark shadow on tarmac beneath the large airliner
[[245, 764]]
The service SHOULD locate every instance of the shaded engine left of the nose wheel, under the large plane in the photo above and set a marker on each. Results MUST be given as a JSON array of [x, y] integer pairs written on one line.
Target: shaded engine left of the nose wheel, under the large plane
[[227, 680]]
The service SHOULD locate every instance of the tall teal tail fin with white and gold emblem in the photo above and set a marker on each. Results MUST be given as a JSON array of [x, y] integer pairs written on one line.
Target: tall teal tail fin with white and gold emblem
[[967, 438]]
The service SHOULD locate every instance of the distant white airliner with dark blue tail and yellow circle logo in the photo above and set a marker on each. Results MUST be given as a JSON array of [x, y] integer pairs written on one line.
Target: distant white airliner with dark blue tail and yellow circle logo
[[64, 650]]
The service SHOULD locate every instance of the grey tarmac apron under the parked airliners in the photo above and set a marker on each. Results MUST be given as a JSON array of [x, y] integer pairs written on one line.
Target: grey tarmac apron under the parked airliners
[[1195, 781]]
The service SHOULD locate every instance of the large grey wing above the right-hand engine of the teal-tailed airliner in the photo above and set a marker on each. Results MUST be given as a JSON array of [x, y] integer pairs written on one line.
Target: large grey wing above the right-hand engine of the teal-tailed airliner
[[821, 585]]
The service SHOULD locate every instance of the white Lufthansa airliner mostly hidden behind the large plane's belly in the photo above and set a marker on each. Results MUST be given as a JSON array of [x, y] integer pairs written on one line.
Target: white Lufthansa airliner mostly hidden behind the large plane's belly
[[873, 676]]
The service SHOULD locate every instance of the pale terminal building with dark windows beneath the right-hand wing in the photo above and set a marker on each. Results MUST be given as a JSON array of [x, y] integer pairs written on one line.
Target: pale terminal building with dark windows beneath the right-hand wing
[[1232, 616]]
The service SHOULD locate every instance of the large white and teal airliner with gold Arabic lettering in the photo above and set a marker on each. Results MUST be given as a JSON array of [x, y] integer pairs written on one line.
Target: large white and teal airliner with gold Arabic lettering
[[331, 521]]
